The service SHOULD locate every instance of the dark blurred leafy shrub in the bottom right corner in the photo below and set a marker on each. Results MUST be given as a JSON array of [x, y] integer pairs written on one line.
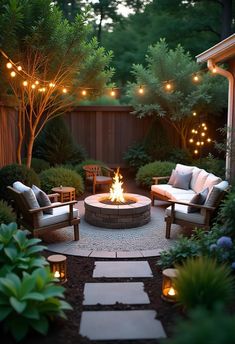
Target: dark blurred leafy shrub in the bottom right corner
[[204, 327]]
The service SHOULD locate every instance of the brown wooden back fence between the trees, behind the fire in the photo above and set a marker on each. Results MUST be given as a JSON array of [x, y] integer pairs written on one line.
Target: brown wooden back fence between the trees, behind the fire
[[106, 132]]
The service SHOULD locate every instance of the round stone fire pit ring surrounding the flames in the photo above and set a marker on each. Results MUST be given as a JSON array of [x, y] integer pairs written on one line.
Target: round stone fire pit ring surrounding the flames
[[117, 216]]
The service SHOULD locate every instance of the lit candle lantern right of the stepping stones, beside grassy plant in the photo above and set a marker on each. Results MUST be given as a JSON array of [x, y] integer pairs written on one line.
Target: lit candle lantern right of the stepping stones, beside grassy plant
[[169, 292]]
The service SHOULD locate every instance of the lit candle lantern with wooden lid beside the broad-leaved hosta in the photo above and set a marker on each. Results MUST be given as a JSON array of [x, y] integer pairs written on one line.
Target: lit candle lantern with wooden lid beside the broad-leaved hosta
[[58, 266]]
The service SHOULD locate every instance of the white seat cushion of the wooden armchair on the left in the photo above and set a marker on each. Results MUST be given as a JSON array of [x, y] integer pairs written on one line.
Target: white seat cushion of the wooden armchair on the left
[[60, 214]]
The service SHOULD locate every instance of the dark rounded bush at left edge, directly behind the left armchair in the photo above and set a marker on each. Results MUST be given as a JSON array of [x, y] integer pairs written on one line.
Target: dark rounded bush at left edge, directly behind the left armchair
[[11, 173]]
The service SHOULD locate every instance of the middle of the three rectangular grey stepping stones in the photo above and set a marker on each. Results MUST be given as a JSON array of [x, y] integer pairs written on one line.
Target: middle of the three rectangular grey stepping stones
[[110, 293]]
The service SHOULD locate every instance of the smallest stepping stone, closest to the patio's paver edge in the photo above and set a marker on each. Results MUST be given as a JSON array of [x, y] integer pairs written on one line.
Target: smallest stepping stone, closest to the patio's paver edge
[[122, 269]]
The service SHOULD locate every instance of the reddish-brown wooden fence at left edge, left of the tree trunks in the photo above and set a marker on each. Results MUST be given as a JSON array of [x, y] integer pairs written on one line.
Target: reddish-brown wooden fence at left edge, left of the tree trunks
[[8, 135]]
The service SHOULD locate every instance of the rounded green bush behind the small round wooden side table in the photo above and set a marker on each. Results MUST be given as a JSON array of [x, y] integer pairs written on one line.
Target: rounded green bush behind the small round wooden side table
[[57, 176]]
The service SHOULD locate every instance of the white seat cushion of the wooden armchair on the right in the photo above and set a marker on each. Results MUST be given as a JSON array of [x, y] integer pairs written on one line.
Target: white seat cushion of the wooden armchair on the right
[[181, 213]]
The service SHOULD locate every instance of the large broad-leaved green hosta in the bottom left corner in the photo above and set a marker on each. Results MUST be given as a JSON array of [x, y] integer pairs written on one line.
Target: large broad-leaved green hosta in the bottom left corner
[[30, 302]]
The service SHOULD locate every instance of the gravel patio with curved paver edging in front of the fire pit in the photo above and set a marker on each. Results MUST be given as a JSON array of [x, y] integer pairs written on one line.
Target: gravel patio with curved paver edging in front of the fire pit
[[144, 241]]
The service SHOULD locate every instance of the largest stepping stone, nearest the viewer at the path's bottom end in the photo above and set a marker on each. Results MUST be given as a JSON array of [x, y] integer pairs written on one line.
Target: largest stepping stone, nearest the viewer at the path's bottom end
[[121, 325]]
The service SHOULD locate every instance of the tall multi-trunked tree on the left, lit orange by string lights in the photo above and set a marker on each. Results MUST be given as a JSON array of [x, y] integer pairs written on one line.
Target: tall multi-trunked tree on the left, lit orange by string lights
[[45, 63]]
